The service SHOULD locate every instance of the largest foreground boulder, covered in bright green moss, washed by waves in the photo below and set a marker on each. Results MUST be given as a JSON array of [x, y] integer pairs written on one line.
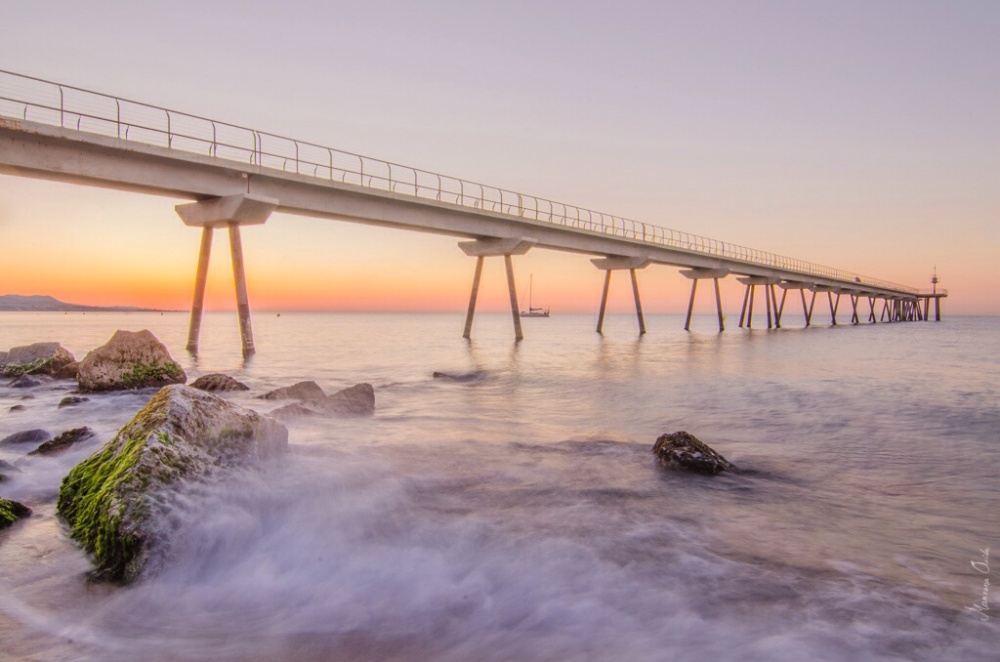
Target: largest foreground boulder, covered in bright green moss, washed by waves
[[117, 501]]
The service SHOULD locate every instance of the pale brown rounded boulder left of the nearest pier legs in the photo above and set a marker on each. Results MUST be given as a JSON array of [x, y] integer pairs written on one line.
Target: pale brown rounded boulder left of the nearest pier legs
[[129, 360]]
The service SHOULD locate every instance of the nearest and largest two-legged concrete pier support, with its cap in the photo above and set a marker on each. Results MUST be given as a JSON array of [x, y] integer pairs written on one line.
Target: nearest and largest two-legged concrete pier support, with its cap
[[230, 211]]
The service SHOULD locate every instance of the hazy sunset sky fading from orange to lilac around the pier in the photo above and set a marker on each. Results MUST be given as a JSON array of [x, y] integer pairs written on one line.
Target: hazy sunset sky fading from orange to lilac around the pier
[[861, 135]]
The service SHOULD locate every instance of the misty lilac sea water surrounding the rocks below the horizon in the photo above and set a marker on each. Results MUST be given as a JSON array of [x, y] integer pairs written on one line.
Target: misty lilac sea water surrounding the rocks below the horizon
[[521, 514]]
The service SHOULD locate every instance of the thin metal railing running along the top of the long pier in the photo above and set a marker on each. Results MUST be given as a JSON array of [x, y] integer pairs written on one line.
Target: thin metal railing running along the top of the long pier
[[68, 107]]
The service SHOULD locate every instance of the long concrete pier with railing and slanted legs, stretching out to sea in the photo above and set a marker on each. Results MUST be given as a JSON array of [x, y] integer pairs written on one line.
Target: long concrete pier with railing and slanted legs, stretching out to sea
[[238, 176]]
